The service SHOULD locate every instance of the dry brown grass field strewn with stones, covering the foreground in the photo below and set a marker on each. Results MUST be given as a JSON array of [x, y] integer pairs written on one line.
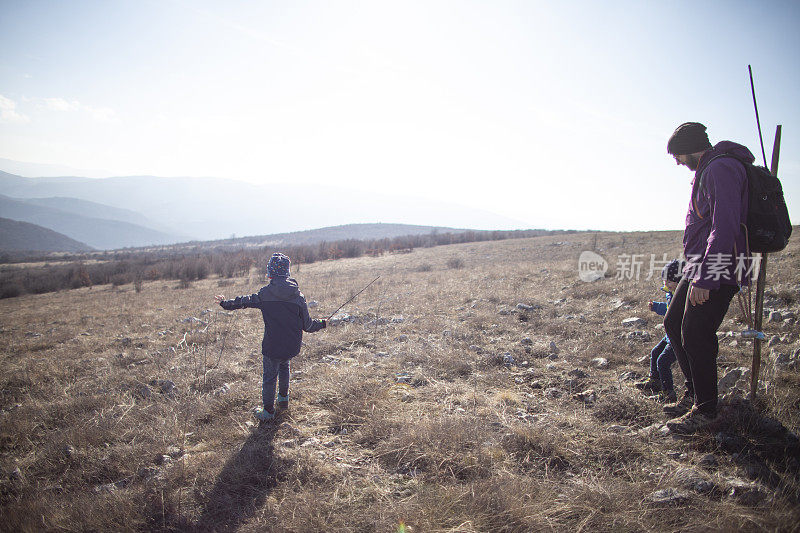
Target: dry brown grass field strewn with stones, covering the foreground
[[440, 404]]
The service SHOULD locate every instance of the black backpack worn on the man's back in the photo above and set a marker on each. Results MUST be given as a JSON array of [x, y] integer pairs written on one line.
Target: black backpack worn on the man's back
[[768, 225]]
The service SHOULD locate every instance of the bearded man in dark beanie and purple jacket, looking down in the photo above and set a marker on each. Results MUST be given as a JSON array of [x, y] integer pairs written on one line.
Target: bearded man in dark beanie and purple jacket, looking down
[[714, 242]]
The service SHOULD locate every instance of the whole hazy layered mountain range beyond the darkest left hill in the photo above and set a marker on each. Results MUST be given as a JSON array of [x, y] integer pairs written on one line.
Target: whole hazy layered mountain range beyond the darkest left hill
[[149, 210]]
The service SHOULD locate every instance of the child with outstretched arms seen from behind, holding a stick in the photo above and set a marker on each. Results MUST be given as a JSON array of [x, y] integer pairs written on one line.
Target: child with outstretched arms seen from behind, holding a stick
[[286, 317]]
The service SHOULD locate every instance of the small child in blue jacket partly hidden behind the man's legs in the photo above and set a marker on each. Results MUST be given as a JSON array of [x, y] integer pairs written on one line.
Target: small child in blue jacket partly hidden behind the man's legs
[[662, 355]]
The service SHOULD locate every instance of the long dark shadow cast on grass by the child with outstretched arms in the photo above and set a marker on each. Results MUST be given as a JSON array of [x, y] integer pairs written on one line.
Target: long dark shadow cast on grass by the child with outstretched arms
[[242, 485]]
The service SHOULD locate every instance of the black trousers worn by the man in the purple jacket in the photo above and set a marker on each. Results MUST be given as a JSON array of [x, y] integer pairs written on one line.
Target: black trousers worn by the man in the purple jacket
[[693, 333]]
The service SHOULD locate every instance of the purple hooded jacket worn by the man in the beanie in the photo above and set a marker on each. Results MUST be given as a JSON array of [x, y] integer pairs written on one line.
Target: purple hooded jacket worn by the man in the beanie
[[714, 235]]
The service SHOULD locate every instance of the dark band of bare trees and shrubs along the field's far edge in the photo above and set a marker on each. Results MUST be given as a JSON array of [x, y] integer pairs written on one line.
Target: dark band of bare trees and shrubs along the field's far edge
[[124, 267]]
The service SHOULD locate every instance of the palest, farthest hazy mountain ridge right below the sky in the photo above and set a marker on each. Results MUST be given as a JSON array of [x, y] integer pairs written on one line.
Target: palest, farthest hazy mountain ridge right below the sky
[[213, 208]]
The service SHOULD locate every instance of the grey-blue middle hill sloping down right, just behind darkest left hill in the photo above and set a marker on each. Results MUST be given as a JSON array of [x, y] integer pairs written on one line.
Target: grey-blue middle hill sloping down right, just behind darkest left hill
[[99, 233]]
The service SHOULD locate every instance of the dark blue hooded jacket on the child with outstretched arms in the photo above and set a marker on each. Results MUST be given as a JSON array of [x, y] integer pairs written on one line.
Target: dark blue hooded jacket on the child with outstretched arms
[[285, 314]]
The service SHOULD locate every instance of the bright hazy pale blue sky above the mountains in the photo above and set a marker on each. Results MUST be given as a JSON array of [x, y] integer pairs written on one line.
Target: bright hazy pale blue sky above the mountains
[[552, 113]]
